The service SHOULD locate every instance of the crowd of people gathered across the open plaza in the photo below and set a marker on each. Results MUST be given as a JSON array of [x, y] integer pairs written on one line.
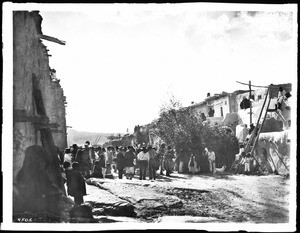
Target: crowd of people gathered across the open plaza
[[80, 163]]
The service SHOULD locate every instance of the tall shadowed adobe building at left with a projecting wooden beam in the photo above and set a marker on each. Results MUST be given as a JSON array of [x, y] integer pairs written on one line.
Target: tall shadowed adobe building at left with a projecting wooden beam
[[39, 122]]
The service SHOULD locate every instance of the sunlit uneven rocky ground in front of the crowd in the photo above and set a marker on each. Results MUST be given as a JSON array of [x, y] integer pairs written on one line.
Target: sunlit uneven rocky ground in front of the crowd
[[190, 198]]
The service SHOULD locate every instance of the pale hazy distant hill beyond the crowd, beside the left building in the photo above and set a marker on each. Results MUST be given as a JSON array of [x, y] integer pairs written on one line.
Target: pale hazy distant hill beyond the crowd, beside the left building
[[80, 137]]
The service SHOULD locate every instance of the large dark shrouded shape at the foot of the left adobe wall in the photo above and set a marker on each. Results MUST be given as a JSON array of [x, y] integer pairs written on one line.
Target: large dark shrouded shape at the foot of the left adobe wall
[[36, 190]]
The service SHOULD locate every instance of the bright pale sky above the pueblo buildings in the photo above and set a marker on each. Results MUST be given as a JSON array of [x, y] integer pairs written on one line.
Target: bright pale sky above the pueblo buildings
[[122, 62]]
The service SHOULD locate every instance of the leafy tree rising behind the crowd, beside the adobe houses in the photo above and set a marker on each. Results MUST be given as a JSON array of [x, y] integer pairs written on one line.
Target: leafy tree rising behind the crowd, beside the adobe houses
[[185, 131]]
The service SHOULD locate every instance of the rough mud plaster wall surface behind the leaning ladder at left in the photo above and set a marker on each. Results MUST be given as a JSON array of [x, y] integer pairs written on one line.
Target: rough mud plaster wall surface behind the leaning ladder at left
[[30, 57]]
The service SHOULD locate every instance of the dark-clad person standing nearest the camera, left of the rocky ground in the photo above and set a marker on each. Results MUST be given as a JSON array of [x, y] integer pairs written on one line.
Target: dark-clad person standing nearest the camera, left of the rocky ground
[[76, 184]]
